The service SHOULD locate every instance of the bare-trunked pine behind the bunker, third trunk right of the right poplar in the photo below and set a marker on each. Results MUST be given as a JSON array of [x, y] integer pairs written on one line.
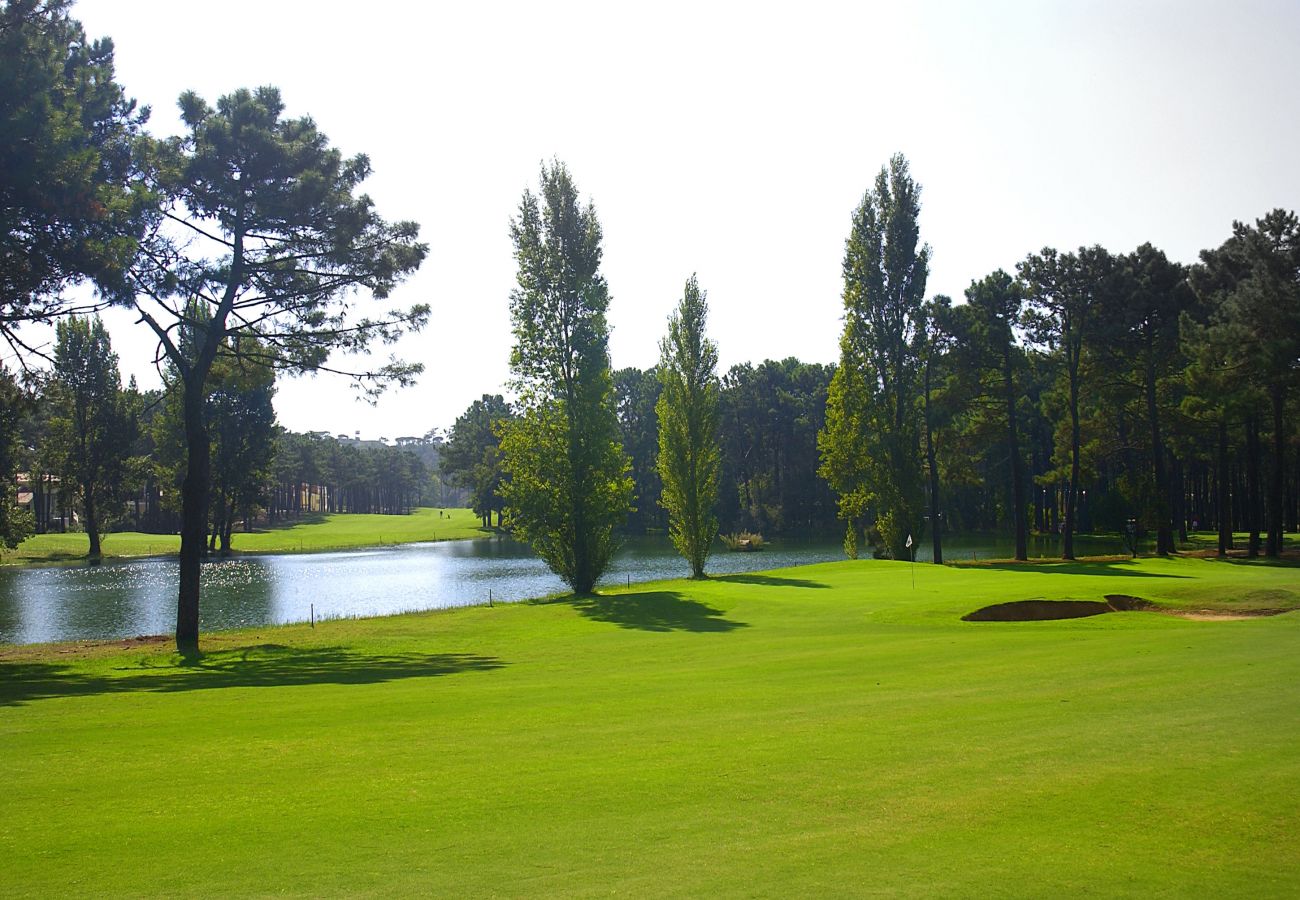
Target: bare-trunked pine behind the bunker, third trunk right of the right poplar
[[1065, 295]]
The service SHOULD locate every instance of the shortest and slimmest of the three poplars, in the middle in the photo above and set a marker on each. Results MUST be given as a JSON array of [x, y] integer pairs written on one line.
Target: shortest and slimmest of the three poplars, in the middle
[[690, 457]]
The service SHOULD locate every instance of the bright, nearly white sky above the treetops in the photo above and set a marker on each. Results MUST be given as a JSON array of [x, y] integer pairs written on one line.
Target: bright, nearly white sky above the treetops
[[734, 141]]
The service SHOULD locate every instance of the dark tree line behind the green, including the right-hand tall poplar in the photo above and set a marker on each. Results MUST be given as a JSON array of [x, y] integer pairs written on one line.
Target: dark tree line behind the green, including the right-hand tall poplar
[[1090, 392]]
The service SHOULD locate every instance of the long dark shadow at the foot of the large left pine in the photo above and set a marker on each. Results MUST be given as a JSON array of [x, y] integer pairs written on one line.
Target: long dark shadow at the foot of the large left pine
[[263, 667]]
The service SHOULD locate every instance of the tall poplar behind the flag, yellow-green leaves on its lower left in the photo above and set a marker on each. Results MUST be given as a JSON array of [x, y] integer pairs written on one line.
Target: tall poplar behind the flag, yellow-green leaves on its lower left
[[870, 448]]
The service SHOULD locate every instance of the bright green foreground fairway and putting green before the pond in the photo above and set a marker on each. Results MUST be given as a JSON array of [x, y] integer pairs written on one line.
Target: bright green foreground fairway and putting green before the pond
[[827, 730]]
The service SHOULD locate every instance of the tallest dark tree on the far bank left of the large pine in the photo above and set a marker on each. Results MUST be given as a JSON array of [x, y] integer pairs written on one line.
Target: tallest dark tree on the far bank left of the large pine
[[90, 425]]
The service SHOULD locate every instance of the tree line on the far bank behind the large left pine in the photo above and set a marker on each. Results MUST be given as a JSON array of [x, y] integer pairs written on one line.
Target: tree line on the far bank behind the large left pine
[[97, 456]]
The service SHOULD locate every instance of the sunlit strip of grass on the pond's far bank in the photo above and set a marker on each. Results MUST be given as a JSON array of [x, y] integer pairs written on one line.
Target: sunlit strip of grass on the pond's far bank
[[319, 533]]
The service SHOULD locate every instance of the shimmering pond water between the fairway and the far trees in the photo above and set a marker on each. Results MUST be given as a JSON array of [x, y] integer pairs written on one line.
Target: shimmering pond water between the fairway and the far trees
[[138, 598]]
